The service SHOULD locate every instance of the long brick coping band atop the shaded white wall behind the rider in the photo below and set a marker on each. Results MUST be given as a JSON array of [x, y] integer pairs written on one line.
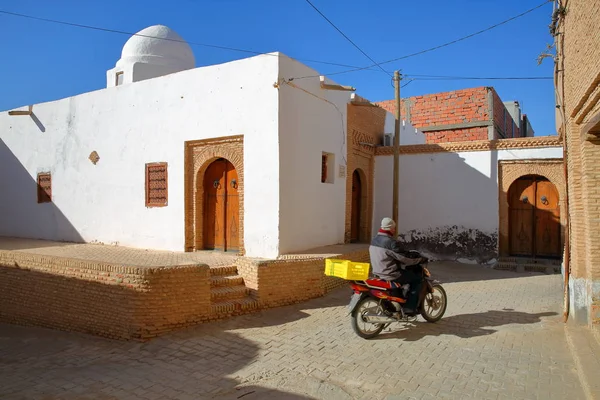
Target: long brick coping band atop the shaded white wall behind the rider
[[478, 145]]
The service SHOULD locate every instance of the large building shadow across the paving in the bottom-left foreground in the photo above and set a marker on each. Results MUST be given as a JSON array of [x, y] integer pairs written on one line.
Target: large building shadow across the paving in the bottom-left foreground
[[165, 368]]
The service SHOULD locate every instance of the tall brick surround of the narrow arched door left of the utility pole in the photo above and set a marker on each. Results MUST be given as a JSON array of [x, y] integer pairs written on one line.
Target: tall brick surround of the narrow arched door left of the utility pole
[[365, 130]]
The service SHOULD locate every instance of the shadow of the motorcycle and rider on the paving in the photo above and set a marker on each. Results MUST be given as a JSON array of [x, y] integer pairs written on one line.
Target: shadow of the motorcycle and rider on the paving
[[465, 325]]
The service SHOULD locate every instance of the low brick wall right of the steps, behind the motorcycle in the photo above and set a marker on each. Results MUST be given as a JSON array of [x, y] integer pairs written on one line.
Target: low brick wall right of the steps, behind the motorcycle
[[288, 281]]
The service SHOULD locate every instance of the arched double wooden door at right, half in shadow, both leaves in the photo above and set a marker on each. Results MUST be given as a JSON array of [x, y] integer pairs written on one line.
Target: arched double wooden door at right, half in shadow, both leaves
[[534, 218]]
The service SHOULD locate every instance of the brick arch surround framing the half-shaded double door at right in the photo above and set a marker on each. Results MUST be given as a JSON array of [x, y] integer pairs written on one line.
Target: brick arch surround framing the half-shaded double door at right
[[509, 172]]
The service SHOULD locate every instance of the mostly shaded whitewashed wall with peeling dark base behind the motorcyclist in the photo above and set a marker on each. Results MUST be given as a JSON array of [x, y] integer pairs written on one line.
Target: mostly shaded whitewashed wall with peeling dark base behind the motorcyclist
[[450, 196]]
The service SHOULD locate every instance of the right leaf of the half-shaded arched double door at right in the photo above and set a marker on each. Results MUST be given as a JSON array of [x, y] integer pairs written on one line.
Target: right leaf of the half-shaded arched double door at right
[[547, 220]]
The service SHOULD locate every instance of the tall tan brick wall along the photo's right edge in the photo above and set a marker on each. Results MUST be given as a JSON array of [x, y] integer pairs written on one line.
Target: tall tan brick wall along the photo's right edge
[[578, 78]]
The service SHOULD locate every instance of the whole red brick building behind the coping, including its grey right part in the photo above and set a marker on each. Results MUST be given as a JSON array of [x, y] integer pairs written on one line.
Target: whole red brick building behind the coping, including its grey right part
[[463, 115]]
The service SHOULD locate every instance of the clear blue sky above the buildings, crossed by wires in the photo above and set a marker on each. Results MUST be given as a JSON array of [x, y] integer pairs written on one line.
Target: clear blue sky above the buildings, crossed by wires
[[45, 61]]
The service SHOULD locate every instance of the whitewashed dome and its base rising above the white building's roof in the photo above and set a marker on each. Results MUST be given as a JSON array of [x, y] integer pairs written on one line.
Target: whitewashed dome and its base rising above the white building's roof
[[152, 52]]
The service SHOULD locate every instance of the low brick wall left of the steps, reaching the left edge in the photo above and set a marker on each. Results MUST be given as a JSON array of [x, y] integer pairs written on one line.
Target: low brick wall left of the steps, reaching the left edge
[[109, 300]]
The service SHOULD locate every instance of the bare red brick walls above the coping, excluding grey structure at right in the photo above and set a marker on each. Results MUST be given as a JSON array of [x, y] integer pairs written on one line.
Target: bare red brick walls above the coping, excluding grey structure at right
[[450, 108]]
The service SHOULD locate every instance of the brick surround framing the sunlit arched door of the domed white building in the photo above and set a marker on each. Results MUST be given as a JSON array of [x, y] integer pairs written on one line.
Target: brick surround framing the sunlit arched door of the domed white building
[[199, 154]]
